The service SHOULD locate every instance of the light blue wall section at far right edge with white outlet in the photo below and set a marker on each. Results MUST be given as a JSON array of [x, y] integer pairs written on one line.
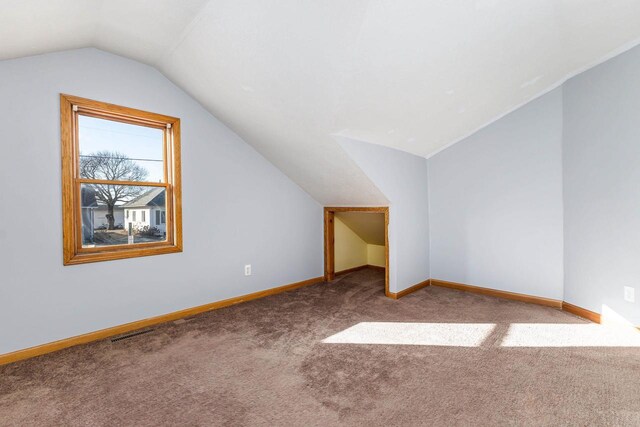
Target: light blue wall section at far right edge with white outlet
[[601, 157]]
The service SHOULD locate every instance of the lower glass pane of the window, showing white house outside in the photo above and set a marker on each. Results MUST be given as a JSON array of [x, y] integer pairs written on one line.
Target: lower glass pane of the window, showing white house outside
[[120, 214]]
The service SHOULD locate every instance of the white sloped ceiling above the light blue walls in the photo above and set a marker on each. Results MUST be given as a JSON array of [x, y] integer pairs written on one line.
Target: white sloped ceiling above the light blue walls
[[289, 75]]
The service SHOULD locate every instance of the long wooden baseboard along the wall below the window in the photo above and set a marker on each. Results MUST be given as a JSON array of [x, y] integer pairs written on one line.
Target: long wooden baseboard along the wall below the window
[[139, 324]]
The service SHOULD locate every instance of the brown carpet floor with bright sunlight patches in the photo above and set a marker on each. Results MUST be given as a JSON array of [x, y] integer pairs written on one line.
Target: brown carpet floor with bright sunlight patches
[[341, 354]]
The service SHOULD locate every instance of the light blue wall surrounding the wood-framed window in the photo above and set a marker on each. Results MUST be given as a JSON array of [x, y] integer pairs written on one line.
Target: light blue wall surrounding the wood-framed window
[[237, 207]]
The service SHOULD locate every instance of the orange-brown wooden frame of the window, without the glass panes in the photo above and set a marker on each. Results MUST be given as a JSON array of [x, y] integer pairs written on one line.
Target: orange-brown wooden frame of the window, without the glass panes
[[73, 252]]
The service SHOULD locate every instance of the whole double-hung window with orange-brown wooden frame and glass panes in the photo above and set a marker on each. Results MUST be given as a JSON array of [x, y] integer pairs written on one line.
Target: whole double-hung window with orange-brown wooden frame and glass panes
[[118, 159]]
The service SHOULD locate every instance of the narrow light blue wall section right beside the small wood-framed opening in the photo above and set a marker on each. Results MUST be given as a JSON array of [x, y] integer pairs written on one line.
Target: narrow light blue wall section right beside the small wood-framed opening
[[401, 177]]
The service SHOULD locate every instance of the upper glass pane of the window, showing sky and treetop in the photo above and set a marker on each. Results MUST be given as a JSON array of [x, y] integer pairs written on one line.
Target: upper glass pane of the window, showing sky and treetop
[[120, 151]]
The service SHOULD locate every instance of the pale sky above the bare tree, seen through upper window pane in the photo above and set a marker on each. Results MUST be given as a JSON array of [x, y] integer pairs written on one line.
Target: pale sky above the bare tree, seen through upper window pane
[[140, 144]]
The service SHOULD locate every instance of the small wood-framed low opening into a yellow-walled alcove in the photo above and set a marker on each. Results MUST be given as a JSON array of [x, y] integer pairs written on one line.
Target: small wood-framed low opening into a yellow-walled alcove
[[369, 225]]
